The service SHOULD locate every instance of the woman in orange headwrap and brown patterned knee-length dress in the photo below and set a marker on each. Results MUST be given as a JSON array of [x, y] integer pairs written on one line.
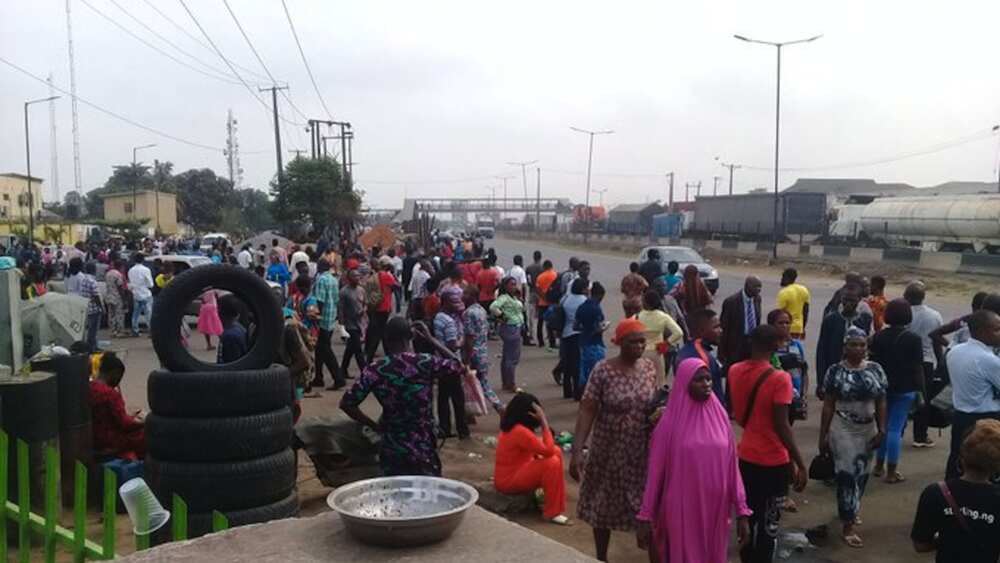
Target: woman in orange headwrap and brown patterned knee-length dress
[[613, 415]]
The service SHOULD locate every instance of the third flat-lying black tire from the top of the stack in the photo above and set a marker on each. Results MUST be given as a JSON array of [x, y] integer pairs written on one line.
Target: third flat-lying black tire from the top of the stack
[[223, 486]]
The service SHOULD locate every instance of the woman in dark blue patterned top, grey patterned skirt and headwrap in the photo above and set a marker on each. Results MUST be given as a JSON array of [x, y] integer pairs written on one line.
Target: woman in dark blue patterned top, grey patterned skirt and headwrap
[[853, 425]]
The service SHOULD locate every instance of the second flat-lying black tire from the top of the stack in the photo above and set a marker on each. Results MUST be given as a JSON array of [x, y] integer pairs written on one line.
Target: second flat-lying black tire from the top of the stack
[[219, 439]]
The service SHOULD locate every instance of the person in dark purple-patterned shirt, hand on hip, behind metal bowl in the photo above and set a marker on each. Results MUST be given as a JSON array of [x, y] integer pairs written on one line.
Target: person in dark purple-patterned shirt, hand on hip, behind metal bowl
[[402, 382]]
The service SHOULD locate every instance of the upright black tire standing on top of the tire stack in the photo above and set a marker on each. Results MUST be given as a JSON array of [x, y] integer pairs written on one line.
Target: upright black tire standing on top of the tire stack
[[171, 303]]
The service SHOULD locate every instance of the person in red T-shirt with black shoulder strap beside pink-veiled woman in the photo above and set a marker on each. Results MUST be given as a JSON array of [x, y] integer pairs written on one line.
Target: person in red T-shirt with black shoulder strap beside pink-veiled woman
[[760, 396]]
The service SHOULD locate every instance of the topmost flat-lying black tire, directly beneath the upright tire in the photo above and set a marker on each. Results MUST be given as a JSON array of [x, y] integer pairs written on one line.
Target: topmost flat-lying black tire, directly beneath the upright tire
[[216, 394]]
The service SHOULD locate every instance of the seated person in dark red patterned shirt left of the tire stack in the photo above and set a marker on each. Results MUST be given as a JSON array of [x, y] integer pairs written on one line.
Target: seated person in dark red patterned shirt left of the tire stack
[[116, 432]]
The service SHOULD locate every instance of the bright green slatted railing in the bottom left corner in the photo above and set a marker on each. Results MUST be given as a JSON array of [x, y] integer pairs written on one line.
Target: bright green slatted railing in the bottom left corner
[[74, 540]]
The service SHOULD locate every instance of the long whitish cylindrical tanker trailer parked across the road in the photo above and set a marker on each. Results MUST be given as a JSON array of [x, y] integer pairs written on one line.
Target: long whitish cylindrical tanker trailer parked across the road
[[933, 222]]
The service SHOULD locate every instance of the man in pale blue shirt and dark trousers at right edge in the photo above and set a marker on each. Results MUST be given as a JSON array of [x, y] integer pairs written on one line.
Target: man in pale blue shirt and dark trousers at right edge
[[975, 380]]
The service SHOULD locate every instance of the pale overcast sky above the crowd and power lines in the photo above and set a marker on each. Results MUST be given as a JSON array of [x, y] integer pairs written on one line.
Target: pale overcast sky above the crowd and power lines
[[443, 94]]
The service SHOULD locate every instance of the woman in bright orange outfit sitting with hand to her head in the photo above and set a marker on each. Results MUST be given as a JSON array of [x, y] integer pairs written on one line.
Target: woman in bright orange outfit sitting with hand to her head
[[525, 461]]
